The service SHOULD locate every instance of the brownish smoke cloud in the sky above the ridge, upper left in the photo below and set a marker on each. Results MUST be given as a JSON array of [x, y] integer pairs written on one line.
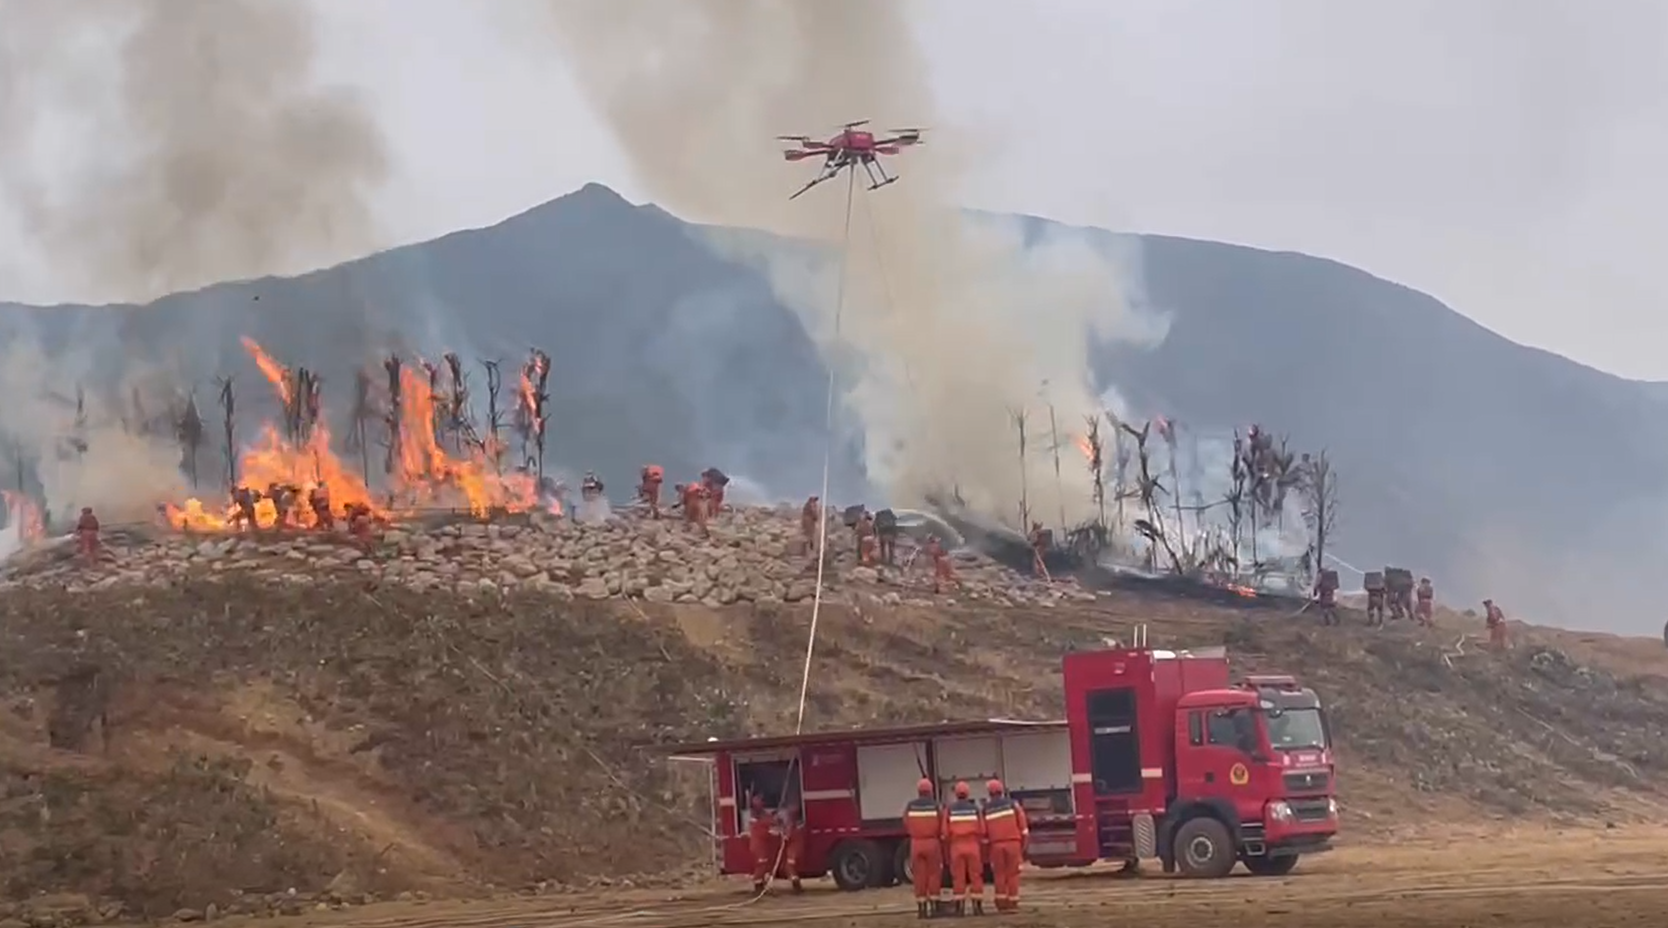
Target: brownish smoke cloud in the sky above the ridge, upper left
[[184, 139]]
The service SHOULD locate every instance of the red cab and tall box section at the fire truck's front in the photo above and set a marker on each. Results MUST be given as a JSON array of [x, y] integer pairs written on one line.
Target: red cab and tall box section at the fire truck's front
[[1180, 765]]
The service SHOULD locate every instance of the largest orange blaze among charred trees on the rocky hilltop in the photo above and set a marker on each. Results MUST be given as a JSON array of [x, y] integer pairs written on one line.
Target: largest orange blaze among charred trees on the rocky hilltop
[[426, 475]]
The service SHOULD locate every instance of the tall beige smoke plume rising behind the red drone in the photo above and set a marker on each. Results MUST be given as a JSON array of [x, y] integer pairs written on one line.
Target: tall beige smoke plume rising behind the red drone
[[948, 326]]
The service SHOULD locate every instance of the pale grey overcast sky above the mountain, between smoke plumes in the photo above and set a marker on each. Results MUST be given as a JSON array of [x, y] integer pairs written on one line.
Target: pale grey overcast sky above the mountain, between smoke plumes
[[1507, 158]]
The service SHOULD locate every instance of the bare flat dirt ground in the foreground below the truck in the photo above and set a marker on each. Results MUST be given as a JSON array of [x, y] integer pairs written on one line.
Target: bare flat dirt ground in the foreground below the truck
[[1525, 877]]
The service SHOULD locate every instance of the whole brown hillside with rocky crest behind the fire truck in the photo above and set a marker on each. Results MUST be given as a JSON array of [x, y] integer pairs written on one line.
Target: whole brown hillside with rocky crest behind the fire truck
[[283, 724]]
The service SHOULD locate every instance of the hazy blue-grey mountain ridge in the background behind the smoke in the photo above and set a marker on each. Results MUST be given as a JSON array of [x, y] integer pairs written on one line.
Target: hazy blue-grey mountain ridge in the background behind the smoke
[[1499, 468]]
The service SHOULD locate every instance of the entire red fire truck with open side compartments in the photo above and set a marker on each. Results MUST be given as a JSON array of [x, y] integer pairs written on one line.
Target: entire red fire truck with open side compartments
[[1160, 757]]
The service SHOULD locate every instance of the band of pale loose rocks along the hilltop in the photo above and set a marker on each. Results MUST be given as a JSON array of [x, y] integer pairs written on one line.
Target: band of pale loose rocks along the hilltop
[[748, 555]]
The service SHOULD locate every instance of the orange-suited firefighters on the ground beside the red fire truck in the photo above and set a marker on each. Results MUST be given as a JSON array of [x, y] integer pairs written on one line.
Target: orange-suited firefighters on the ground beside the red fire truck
[[962, 835]]
